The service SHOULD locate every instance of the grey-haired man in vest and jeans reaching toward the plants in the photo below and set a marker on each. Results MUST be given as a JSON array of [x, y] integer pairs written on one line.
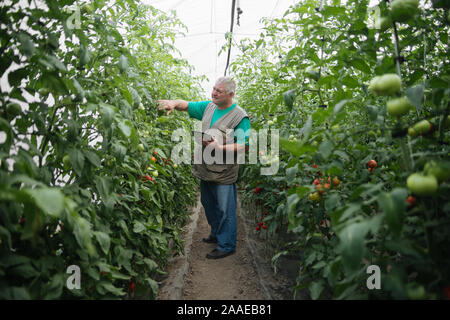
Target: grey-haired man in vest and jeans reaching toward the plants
[[218, 179]]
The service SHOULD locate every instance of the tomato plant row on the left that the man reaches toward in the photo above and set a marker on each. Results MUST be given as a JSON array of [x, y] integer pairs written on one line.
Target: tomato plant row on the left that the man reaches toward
[[86, 175]]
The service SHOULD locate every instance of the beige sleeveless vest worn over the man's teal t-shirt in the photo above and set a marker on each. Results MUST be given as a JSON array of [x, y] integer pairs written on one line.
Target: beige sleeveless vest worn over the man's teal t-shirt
[[220, 173]]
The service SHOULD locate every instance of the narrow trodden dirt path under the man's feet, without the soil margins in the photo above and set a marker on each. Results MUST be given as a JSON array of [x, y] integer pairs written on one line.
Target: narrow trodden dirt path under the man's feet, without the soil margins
[[229, 278]]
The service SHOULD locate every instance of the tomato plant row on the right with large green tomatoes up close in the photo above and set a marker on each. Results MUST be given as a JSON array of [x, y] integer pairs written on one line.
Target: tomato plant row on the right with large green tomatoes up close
[[361, 98]]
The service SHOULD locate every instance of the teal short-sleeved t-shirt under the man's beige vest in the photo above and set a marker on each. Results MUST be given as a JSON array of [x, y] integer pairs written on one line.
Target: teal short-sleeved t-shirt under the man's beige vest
[[197, 109]]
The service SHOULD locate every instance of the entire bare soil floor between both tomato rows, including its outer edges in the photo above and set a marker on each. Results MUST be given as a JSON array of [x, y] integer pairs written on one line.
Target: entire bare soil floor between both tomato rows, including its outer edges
[[245, 275]]
